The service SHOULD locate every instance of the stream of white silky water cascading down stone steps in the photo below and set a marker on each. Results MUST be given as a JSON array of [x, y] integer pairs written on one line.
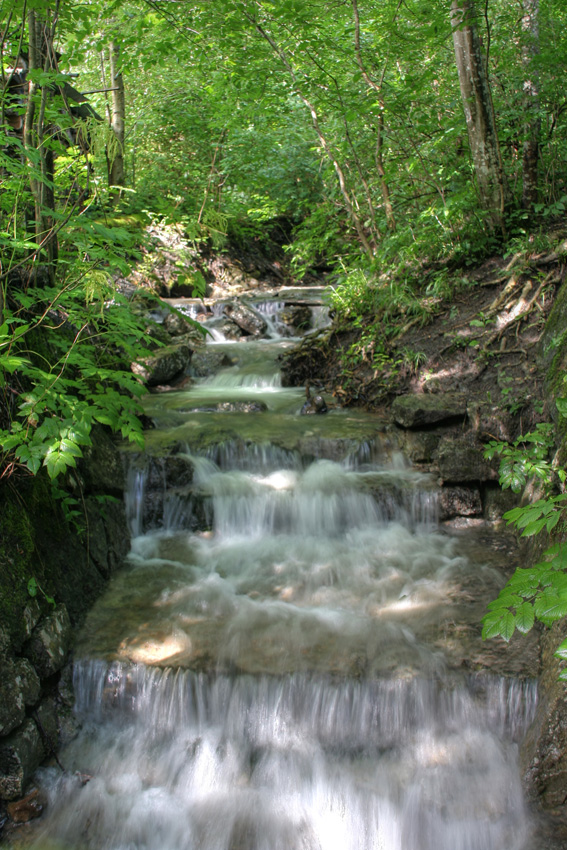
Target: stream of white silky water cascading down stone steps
[[291, 659]]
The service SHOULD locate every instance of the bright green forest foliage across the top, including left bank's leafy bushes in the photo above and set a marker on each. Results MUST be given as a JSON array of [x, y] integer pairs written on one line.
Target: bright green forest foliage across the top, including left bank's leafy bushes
[[382, 133]]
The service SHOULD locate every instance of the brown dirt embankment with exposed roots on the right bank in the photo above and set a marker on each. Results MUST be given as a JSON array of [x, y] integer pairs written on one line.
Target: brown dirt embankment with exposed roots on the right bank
[[484, 341]]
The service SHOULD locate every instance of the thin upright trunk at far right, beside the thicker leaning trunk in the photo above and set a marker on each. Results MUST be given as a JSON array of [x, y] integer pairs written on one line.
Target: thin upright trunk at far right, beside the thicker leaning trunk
[[530, 153]]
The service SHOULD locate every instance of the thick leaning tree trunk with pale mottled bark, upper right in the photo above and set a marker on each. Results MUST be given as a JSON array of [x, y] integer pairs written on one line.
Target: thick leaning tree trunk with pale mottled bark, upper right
[[479, 111]]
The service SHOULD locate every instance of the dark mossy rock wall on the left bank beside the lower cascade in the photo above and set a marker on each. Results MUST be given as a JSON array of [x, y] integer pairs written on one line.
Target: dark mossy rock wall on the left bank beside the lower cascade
[[69, 564]]
